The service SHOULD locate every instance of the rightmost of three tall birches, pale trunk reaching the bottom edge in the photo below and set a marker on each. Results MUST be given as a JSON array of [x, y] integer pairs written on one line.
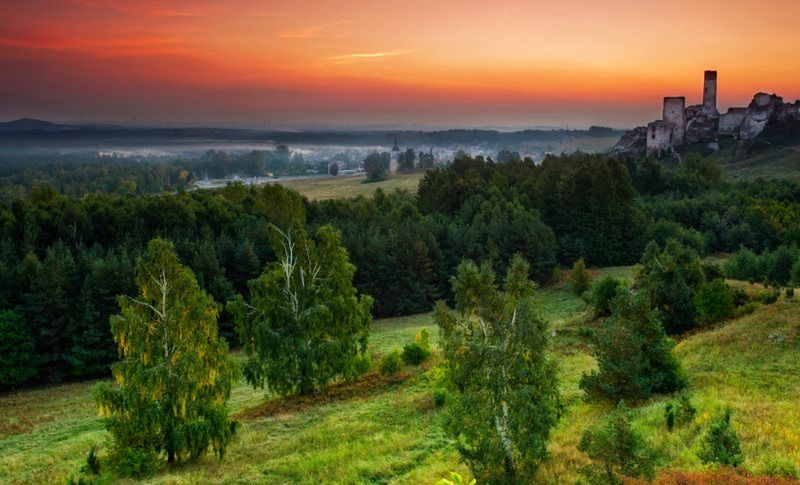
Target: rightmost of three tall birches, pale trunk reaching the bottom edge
[[505, 399]]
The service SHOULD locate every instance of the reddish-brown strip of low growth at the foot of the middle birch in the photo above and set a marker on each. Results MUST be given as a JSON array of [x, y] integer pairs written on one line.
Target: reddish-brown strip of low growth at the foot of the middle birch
[[363, 388]]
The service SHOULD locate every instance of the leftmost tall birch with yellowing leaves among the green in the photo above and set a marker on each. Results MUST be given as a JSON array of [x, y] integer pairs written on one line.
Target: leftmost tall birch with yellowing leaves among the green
[[174, 377]]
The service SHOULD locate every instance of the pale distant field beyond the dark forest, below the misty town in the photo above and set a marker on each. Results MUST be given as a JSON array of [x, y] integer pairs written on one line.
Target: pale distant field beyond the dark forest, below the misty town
[[343, 186]]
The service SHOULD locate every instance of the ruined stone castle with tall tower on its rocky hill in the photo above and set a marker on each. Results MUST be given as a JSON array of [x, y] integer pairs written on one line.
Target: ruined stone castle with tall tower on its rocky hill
[[767, 116]]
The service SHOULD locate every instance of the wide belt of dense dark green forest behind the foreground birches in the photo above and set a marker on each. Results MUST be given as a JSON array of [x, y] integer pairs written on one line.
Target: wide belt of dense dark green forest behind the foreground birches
[[64, 260]]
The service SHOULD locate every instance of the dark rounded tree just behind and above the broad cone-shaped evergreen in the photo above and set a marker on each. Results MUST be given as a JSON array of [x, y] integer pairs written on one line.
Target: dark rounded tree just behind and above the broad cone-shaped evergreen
[[670, 278]]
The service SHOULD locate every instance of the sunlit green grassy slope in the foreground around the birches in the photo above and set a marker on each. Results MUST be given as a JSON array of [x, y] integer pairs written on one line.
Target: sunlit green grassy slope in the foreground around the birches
[[387, 430]]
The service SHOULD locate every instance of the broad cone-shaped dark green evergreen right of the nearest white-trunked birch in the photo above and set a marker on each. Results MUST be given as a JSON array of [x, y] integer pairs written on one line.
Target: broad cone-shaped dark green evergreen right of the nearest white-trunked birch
[[633, 353]]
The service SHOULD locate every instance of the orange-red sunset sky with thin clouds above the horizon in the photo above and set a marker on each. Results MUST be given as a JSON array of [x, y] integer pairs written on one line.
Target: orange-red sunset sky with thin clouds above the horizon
[[386, 63]]
